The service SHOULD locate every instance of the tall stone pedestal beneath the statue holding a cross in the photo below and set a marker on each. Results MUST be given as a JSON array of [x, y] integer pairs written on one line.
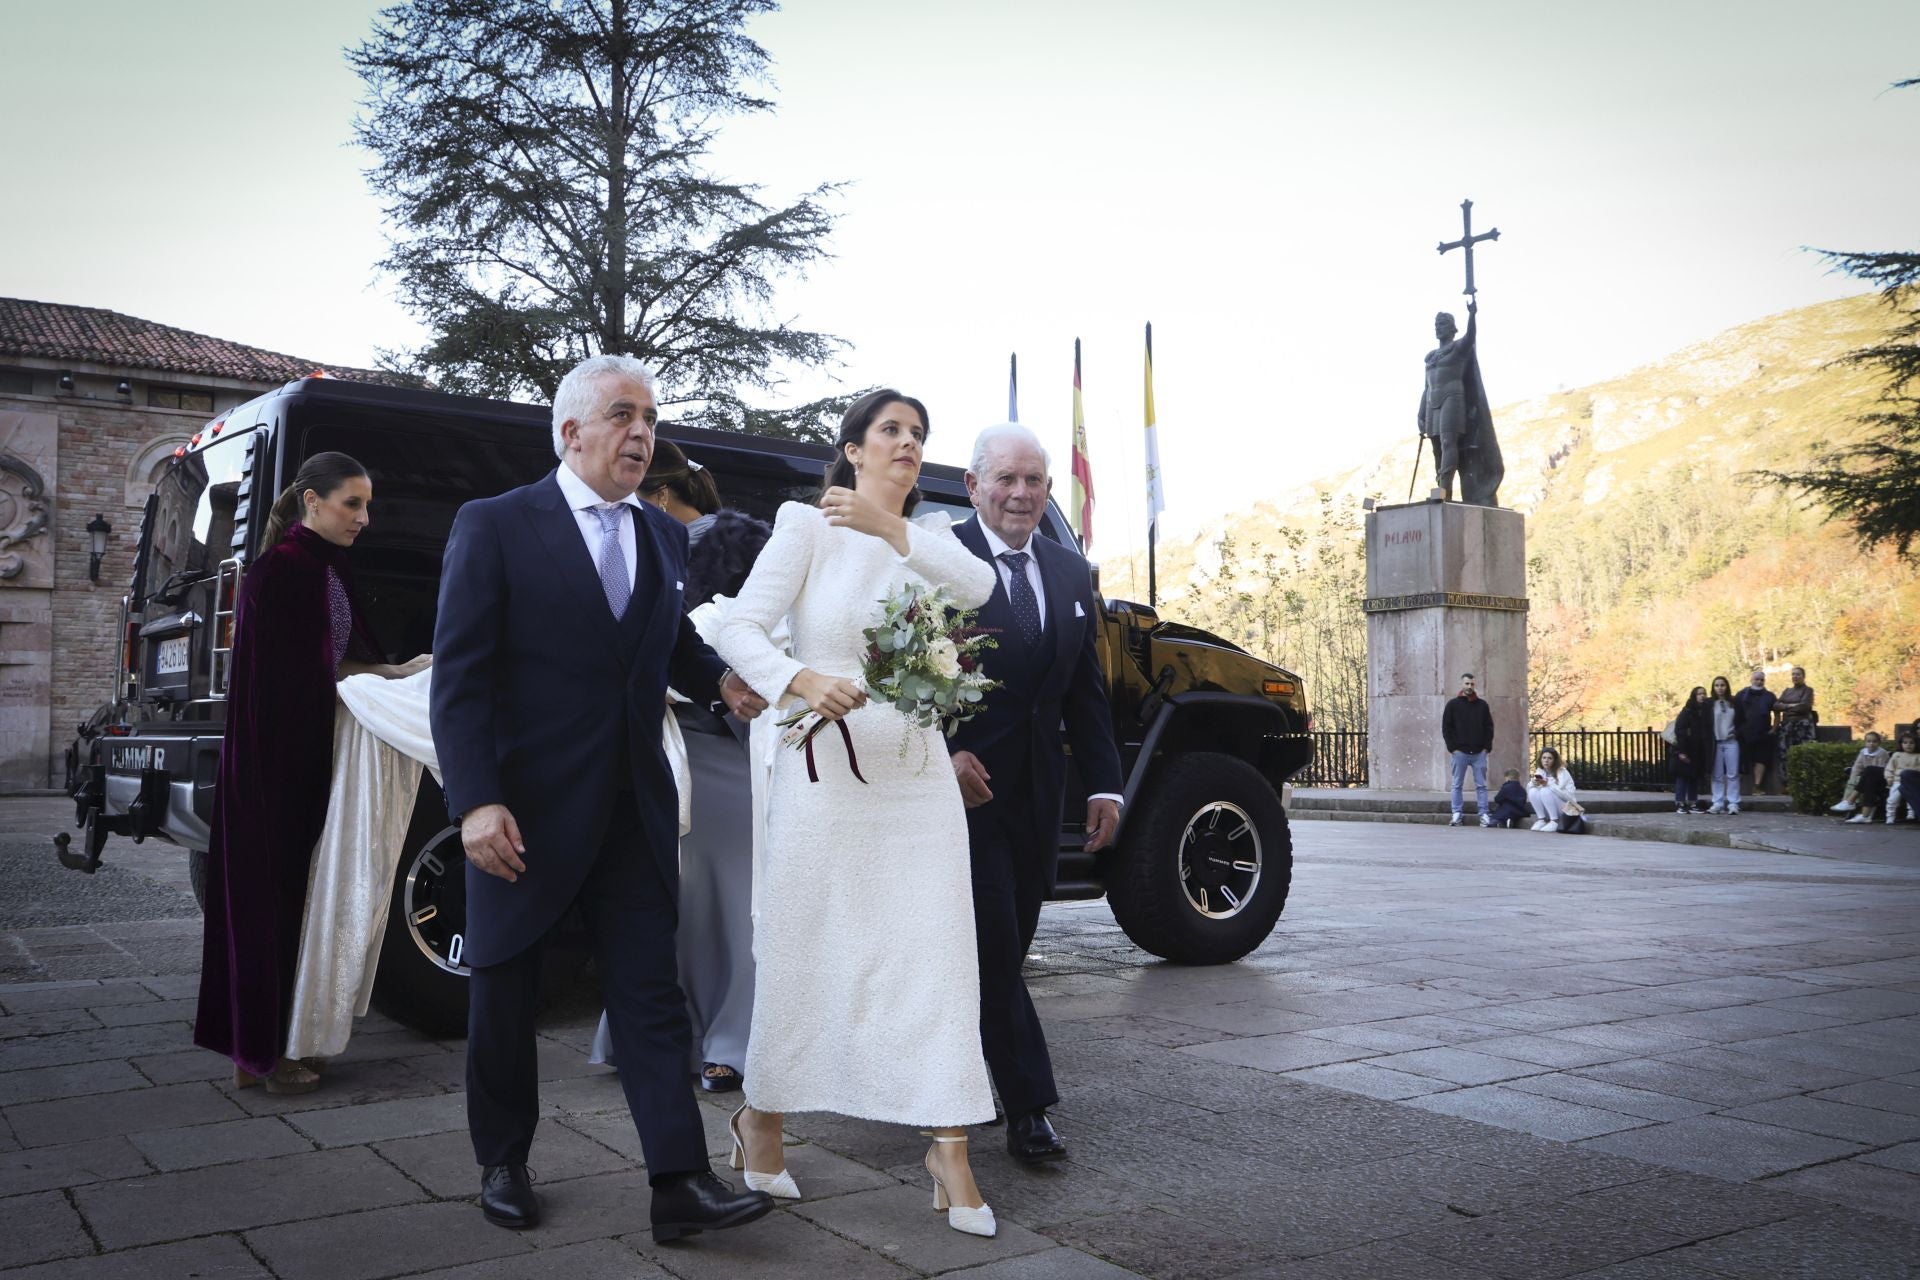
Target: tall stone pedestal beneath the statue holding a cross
[[1447, 594]]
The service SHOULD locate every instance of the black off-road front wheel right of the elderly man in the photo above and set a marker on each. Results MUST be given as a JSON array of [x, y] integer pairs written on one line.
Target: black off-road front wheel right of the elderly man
[[1199, 801]]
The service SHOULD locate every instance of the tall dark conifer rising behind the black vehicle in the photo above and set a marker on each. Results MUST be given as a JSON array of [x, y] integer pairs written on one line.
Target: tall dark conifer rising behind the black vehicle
[[542, 166]]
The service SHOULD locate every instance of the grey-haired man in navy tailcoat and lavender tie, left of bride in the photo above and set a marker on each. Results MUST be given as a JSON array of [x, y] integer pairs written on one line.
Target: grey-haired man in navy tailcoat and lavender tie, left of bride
[[560, 630]]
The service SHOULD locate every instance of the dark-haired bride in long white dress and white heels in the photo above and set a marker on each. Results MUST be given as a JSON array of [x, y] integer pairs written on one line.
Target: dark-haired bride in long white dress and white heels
[[869, 980]]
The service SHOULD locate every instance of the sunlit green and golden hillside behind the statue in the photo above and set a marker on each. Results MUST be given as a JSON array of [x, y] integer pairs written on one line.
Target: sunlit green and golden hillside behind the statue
[[1652, 563]]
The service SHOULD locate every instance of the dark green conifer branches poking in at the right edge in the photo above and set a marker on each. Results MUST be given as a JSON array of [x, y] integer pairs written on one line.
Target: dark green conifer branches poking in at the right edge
[[1875, 485]]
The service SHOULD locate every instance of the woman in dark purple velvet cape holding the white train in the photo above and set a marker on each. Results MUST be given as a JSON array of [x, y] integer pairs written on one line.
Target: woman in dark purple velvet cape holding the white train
[[295, 630]]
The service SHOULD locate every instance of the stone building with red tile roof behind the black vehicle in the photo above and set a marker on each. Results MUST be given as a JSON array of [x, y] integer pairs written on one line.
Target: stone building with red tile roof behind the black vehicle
[[93, 404]]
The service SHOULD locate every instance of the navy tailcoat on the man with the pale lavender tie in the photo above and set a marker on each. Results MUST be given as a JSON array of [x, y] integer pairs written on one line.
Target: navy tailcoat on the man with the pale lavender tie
[[548, 705]]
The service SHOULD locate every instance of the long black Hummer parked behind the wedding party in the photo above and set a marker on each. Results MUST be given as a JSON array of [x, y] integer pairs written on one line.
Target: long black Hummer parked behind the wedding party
[[1209, 734]]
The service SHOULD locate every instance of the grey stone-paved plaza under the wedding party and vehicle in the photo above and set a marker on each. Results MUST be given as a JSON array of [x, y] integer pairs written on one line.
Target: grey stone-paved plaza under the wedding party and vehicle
[[1464, 1055]]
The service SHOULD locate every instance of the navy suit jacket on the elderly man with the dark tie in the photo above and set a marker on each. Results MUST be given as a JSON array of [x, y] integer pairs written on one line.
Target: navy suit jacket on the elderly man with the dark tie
[[1061, 682]]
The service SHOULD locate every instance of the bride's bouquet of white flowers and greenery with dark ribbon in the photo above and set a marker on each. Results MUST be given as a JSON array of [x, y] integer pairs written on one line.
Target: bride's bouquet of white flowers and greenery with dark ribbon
[[923, 657]]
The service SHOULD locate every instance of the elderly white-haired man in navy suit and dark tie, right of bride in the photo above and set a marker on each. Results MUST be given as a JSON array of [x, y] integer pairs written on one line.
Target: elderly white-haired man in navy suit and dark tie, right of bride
[[1011, 763]]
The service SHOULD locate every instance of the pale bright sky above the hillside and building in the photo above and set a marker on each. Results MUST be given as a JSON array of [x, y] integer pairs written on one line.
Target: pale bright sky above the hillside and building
[[1264, 181]]
